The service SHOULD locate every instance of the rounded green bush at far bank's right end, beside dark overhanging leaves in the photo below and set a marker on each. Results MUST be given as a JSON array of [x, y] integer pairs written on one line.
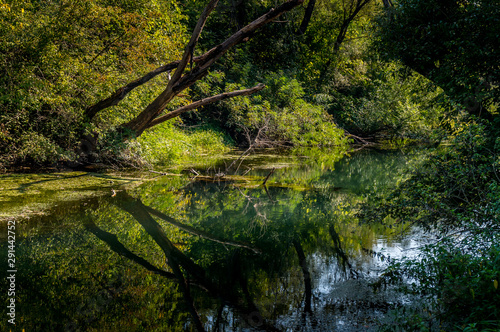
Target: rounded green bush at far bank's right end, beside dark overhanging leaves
[[391, 102]]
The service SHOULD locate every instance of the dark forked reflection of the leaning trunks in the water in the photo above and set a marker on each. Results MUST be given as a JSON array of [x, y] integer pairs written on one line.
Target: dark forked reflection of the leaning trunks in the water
[[182, 266]]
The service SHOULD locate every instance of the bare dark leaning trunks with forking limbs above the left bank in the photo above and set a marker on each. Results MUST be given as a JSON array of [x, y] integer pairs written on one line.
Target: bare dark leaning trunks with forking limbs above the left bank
[[186, 72]]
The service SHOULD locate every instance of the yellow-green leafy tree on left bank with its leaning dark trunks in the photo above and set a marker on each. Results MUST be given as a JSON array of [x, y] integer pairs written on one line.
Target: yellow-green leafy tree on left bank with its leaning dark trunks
[[58, 58]]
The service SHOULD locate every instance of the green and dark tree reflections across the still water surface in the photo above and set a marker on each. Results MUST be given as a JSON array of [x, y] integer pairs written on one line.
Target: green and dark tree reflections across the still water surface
[[218, 256]]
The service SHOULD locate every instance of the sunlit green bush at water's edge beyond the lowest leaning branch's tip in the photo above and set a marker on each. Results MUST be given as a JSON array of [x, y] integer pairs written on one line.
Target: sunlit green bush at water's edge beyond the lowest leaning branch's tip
[[279, 115]]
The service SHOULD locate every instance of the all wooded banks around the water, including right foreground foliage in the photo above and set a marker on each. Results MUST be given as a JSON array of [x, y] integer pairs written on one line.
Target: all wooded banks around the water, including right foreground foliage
[[335, 71]]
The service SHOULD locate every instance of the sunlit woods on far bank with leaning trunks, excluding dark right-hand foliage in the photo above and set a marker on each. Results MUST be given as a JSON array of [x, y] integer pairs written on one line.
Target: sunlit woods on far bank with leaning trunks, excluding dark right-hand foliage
[[77, 78]]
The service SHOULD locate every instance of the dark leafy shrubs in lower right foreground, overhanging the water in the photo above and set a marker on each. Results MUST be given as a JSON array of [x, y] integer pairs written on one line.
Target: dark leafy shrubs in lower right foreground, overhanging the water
[[456, 194]]
